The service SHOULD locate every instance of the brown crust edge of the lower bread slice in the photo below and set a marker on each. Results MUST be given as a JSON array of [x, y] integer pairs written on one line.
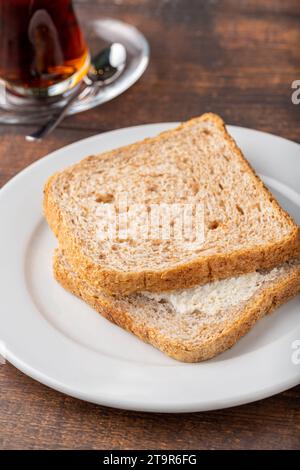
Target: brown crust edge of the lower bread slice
[[270, 297]]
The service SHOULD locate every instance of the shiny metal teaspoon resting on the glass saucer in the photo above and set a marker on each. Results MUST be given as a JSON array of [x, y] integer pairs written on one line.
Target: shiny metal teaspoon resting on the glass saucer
[[105, 68]]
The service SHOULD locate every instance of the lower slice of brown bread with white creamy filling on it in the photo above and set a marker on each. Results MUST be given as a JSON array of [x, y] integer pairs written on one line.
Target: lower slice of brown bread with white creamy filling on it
[[195, 324]]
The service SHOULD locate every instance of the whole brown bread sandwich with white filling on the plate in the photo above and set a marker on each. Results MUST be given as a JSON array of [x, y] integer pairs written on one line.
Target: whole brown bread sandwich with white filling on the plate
[[190, 296]]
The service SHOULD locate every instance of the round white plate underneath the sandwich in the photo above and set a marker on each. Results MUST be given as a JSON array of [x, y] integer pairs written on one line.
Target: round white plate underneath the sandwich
[[58, 340]]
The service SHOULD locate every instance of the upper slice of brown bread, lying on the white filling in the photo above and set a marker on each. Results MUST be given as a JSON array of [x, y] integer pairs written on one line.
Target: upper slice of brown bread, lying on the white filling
[[197, 163]]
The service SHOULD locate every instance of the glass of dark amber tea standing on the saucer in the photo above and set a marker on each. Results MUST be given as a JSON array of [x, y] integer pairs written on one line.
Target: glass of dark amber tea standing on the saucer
[[42, 49]]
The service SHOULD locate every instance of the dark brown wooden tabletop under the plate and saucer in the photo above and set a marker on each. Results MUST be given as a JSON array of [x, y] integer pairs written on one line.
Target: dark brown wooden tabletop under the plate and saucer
[[236, 58]]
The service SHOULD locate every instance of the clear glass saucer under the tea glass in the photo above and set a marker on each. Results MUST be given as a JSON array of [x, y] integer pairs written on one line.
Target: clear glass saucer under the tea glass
[[16, 109]]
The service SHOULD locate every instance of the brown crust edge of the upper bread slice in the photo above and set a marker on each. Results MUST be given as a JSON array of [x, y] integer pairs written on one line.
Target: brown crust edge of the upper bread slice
[[198, 271]]
